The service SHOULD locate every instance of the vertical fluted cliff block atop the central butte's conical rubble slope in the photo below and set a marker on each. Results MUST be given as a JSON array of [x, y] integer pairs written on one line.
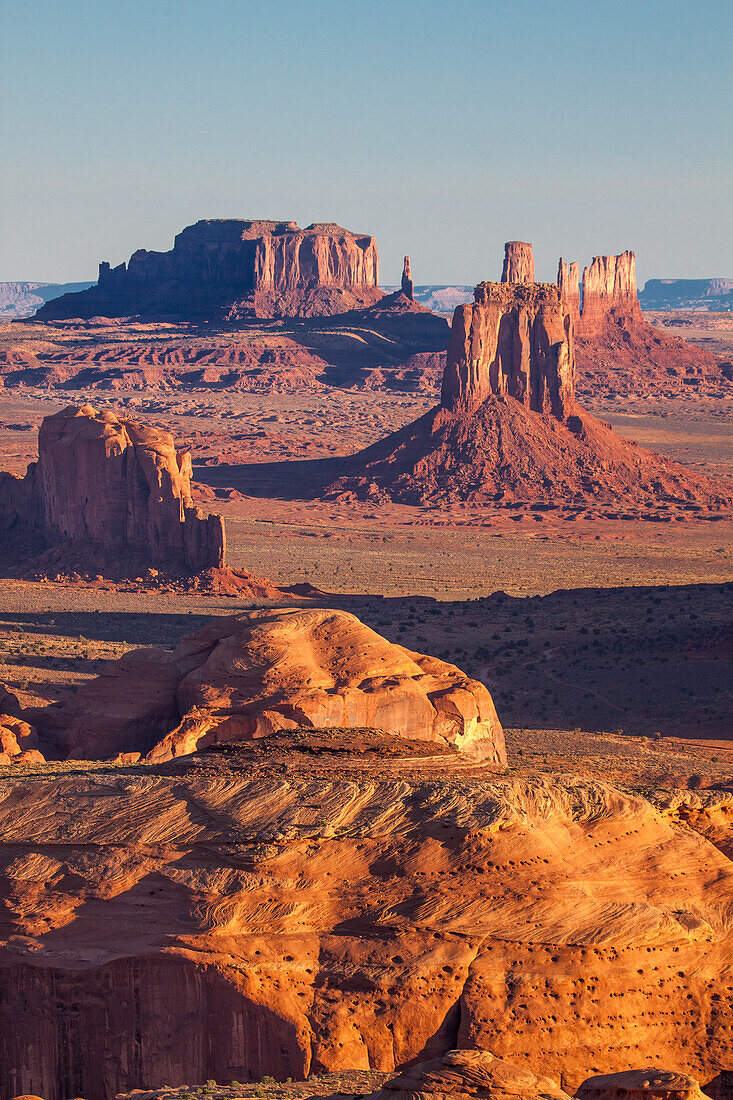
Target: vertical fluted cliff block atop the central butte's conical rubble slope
[[516, 340]]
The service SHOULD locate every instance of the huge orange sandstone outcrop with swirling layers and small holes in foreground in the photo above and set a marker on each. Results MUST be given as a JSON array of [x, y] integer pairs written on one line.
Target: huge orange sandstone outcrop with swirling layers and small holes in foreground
[[293, 916]]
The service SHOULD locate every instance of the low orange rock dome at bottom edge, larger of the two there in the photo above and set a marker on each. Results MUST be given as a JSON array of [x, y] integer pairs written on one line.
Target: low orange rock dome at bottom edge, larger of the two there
[[469, 1074]]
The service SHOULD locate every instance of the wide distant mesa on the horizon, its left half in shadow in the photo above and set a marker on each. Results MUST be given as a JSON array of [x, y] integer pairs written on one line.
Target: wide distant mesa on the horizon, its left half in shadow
[[237, 270]]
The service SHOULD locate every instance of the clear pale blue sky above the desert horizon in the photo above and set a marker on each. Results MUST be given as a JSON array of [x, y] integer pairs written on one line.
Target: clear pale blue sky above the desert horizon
[[443, 128]]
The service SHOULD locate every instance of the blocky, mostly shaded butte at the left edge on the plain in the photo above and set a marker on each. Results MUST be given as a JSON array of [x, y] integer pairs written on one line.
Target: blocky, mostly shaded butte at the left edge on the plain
[[117, 485]]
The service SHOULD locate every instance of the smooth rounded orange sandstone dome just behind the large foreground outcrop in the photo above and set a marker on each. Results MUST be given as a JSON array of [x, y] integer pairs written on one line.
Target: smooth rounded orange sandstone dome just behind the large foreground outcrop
[[247, 676]]
